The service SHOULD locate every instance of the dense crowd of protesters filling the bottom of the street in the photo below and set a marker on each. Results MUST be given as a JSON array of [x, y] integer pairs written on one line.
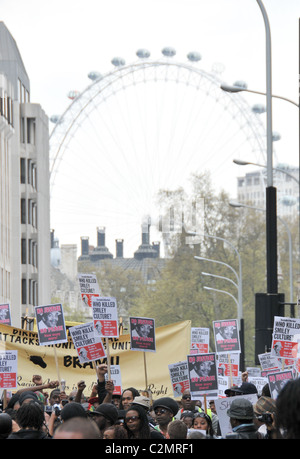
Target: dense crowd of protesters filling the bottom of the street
[[45, 411]]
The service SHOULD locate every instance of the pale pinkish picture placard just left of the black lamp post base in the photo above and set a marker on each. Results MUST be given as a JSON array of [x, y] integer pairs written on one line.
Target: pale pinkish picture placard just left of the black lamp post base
[[226, 336]]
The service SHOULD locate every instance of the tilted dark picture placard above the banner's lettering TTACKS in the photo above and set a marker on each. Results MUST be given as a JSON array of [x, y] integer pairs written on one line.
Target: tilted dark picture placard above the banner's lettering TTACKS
[[51, 324]]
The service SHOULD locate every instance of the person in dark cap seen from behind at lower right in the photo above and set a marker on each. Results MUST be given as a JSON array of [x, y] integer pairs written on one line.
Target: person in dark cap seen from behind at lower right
[[241, 416]]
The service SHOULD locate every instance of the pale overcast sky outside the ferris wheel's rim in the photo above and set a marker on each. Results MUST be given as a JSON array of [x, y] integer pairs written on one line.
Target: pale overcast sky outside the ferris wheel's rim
[[61, 41]]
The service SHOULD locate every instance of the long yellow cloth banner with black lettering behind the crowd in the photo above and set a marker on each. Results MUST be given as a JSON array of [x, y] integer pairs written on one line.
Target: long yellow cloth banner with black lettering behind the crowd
[[61, 361]]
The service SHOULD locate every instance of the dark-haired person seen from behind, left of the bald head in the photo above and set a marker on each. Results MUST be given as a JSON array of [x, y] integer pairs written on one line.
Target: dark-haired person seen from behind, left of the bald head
[[30, 418]]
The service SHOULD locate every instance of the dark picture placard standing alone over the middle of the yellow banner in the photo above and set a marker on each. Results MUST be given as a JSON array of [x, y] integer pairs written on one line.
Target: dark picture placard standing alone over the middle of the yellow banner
[[142, 334]]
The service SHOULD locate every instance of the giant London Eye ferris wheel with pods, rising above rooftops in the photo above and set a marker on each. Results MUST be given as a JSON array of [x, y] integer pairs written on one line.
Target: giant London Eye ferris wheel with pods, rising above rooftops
[[140, 128]]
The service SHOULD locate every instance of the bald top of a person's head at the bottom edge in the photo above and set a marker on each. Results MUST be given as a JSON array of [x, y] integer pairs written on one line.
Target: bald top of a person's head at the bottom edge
[[77, 428]]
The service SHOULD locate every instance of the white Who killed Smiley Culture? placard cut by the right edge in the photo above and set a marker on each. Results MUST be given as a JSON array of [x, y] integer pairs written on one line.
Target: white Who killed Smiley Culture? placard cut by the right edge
[[286, 338]]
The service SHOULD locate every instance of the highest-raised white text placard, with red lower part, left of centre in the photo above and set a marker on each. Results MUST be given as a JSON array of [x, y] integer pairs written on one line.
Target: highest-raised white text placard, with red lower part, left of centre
[[105, 317]]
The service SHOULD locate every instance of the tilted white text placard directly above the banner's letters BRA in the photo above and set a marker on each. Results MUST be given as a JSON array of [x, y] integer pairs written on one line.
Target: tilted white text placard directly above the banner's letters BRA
[[88, 346]]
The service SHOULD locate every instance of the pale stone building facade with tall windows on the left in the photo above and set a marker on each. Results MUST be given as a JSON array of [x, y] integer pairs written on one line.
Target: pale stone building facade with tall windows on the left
[[24, 189]]
